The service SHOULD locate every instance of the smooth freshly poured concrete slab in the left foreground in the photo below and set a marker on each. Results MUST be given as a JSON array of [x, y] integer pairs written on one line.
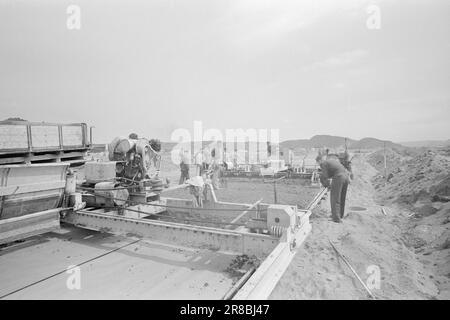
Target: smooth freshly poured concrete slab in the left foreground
[[143, 270]]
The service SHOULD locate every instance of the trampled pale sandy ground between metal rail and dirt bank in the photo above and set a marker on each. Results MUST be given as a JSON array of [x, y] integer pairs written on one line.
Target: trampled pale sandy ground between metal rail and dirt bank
[[367, 238]]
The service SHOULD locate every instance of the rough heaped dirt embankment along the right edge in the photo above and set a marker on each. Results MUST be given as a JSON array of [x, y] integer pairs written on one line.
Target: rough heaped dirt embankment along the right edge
[[421, 186]]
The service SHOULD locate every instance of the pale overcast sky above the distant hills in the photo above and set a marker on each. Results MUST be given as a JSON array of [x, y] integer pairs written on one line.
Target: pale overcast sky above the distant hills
[[304, 67]]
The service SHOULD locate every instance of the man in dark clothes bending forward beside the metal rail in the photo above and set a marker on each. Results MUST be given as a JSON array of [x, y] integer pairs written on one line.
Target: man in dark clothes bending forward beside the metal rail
[[334, 170]]
